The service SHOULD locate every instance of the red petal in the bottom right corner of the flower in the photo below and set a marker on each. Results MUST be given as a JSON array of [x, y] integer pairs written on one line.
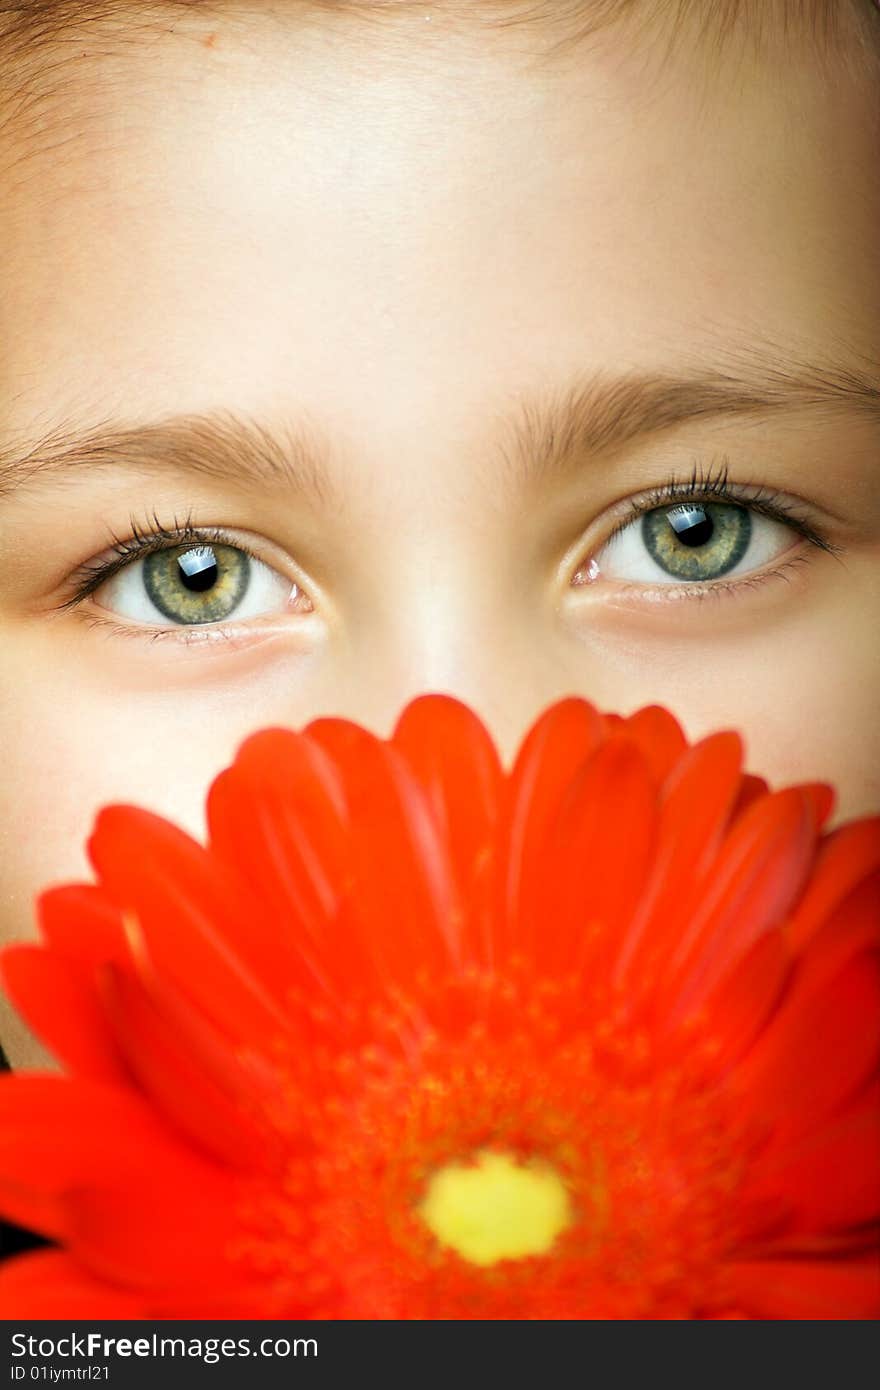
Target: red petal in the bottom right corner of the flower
[[807, 1289]]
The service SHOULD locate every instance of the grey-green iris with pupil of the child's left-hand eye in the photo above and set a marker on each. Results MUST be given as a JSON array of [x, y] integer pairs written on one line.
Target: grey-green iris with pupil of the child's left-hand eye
[[197, 584]]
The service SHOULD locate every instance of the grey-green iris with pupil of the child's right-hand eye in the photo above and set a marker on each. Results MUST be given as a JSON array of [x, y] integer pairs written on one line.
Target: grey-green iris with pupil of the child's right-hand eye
[[697, 540]]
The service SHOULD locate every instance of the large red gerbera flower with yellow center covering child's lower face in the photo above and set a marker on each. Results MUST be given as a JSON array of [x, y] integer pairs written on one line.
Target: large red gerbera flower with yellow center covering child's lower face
[[419, 1038]]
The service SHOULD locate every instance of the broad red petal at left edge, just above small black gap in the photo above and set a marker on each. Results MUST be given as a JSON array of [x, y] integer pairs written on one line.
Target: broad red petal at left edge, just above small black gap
[[134, 1206]]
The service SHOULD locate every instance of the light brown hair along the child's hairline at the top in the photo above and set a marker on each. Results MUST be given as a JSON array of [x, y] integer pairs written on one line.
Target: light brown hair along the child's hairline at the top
[[52, 49]]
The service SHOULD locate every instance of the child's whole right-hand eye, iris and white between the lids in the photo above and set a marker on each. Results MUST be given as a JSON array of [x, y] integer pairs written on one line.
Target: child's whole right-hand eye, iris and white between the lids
[[690, 543]]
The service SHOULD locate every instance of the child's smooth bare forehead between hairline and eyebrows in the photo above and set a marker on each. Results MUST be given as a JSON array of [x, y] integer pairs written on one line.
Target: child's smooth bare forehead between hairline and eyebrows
[[400, 233]]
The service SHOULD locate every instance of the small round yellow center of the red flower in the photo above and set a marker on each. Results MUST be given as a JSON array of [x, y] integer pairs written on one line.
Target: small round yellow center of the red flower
[[497, 1209]]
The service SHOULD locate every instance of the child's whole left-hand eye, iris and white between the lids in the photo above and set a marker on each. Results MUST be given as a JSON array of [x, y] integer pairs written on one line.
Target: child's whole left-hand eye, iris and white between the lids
[[193, 584]]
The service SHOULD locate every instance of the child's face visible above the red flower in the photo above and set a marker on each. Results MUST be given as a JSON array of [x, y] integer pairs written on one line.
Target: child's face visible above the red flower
[[393, 250]]
